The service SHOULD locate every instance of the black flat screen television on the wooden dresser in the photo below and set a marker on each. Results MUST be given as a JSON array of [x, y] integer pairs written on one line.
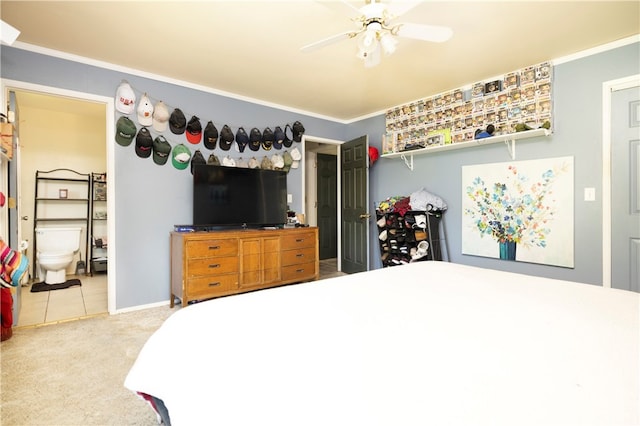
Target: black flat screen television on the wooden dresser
[[238, 197]]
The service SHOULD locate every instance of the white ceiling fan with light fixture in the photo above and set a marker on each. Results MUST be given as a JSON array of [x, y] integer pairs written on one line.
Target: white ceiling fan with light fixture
[[377, 32]]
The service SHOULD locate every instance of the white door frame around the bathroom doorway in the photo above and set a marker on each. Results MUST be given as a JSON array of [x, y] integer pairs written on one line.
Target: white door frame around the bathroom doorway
[[8, 85]]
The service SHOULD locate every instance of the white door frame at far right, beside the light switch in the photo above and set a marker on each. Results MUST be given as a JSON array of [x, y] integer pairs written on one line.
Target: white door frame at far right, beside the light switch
[[608, 87]]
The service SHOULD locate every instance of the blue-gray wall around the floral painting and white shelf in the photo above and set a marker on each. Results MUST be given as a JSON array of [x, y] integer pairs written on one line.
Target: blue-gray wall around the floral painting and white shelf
[[577, 132]]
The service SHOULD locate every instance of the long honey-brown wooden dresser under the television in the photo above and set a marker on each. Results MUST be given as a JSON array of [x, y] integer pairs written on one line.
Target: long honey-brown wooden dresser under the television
[[205, 265]]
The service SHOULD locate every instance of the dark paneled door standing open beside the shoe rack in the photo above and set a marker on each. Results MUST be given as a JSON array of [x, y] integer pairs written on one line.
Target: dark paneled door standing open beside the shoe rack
[[354, 173]]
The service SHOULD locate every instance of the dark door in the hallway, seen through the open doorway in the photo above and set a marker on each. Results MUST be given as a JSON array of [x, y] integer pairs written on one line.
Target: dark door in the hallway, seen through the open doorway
[[327, 190]]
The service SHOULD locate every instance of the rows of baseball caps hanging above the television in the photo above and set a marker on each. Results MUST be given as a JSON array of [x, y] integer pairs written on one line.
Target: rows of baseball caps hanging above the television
[[159, 117]]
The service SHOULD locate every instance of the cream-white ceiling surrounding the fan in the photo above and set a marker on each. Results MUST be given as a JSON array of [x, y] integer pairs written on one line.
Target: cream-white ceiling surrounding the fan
[[251, 49]]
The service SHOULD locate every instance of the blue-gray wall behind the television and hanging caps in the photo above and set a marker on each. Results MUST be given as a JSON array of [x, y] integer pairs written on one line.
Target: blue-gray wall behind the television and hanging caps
[[150, 199]]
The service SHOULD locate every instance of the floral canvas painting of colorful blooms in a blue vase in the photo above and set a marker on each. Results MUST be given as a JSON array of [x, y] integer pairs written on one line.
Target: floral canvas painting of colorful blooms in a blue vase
[[519, 211]]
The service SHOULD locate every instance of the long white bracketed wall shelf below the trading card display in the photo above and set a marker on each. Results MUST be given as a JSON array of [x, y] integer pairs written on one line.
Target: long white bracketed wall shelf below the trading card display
[[509, 140]]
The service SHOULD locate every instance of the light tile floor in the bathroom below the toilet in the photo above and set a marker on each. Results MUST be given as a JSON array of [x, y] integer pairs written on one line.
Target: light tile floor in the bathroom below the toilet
[[90, 298]]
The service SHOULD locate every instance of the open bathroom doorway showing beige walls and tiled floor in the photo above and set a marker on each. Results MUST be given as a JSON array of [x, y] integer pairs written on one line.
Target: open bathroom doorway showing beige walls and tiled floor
[[58, 129]]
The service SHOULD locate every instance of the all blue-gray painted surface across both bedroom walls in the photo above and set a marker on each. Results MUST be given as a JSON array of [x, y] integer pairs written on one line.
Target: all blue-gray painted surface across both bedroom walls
[[151, 199]]
